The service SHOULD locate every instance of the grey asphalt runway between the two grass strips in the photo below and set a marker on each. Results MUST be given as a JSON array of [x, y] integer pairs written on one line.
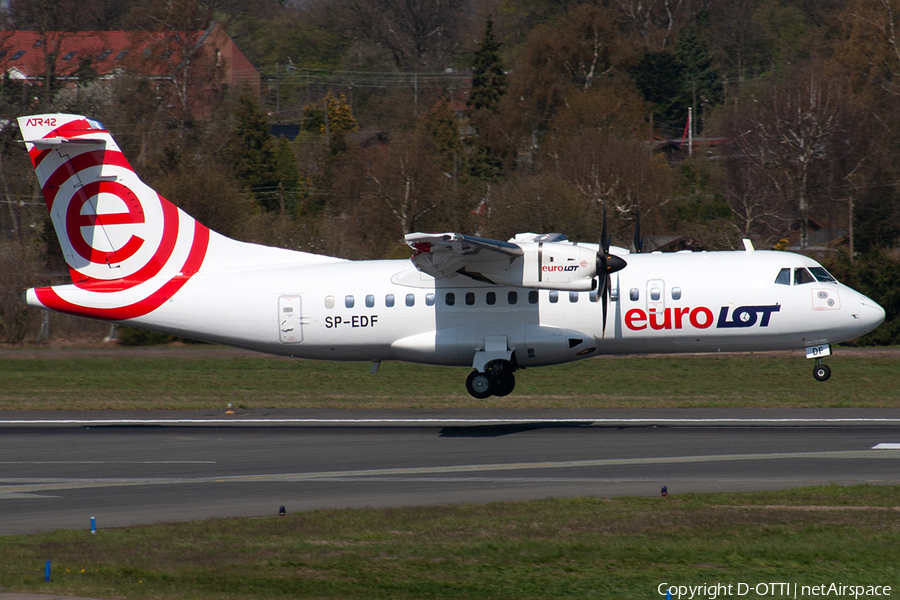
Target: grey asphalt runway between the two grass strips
[[59, 469]]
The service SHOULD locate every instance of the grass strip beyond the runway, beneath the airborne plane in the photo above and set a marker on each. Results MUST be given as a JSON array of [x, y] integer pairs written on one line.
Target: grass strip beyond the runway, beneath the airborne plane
[[199, 379]]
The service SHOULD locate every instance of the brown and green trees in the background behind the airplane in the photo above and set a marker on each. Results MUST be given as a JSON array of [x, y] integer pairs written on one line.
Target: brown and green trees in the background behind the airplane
[[549, 114]]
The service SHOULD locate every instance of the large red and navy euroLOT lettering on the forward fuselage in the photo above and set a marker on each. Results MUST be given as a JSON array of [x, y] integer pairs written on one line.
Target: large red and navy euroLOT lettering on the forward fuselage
[[700, 317]]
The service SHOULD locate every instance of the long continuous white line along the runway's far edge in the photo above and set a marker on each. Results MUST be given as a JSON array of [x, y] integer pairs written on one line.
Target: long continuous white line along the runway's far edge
[[452, 421]]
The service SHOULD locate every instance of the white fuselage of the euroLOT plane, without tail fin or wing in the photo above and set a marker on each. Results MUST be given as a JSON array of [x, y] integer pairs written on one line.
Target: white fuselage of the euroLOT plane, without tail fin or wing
[[661, 303]]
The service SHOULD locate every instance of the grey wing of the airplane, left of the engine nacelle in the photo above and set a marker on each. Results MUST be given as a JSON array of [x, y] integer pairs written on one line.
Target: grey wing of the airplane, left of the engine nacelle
[[443, 255]]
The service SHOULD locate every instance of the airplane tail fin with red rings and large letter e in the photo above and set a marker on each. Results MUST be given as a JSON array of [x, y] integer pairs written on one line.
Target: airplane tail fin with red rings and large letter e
[[124, 243]]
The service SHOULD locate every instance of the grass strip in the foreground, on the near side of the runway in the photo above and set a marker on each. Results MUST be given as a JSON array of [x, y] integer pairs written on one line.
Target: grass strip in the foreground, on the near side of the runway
[[575, 548]]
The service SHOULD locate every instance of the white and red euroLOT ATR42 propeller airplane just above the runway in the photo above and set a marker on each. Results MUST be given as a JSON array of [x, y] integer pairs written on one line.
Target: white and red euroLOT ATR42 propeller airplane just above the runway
[[494, 306]]
